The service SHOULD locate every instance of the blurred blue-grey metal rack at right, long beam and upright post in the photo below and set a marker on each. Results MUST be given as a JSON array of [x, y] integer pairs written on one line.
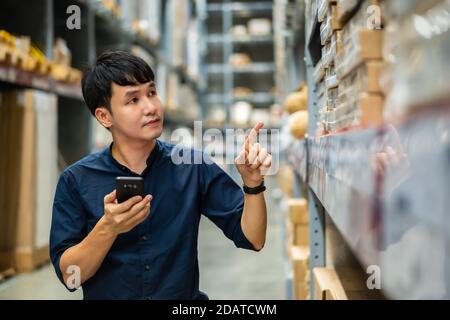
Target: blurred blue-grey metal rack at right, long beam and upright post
[[394, 219]]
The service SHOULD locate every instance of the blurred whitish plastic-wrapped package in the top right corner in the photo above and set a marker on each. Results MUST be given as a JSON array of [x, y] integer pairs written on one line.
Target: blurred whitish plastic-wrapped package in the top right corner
[[414, 82]]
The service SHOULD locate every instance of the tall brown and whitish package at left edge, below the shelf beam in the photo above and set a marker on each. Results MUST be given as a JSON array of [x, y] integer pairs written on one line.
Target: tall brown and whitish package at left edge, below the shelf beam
[[28, 178]]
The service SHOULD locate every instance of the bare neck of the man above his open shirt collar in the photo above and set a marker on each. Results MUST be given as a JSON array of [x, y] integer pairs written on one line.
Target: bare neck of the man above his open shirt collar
[[133, 155]]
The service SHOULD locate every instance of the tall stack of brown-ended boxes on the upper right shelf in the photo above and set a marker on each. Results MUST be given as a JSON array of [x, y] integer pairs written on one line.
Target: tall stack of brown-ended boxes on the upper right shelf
[[358, 64]]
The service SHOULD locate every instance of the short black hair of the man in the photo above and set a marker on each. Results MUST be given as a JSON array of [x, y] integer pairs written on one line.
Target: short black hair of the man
[[119, 67]]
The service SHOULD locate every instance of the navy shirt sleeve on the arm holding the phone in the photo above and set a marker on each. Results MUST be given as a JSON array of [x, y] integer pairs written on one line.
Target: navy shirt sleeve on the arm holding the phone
[[69, 224]]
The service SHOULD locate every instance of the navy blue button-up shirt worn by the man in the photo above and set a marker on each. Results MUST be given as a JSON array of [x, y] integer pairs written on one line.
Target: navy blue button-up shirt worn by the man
[[158, 258]]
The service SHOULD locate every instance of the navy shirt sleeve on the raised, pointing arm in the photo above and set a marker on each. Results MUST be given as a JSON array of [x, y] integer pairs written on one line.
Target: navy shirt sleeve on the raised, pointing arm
[[223, 203]]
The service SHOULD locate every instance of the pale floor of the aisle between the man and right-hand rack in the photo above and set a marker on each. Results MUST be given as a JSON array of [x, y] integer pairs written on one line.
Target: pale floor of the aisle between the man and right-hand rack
[[230, 273]]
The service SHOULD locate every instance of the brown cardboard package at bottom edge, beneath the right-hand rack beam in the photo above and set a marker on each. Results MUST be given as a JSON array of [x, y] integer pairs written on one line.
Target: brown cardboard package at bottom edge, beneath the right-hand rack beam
[[343, 283]]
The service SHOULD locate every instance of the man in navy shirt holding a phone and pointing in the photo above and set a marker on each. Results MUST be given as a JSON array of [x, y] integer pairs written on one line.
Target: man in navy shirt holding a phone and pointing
[[146, 248]]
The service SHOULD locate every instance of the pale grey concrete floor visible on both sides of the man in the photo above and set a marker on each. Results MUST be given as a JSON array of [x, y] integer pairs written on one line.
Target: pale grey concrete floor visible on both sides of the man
[[225, 271]]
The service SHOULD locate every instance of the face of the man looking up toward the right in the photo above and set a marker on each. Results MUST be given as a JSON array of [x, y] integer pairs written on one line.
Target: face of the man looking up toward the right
[[137, 112]]
